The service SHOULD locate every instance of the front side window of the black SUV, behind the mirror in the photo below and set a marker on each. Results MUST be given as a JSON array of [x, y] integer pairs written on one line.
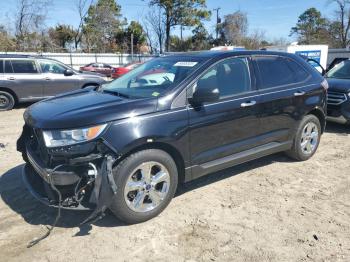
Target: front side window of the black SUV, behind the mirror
[[230, 77]]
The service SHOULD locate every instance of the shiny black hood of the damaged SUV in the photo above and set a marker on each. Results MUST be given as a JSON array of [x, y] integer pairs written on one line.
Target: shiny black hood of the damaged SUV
[[85, 108]]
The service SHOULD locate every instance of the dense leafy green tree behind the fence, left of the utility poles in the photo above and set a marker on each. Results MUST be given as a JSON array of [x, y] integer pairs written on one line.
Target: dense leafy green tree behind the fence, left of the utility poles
[[101, 25]]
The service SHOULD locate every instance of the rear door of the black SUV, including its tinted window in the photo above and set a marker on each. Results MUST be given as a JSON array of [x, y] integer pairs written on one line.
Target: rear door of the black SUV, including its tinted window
[[282, 83]]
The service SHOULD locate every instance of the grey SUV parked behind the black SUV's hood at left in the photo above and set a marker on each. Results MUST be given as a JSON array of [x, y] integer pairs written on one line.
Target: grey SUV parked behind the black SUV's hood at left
[[28, 79]]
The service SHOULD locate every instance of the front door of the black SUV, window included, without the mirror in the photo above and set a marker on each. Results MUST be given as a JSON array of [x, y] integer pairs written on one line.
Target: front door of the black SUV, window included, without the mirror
[[230, 125]]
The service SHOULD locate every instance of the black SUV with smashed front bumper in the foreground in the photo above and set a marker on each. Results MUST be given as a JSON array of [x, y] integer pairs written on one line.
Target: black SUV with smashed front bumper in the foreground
[[127, 144]]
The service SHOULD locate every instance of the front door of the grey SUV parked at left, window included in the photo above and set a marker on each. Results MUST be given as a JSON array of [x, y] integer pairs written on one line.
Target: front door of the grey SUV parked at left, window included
[[56, 81]]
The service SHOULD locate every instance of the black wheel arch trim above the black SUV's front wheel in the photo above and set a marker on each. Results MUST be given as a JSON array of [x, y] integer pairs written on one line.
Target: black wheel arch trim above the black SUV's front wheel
[[171, 150]]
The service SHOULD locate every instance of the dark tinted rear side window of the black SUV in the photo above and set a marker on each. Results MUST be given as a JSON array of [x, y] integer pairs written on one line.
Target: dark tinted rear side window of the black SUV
[[278, 71]]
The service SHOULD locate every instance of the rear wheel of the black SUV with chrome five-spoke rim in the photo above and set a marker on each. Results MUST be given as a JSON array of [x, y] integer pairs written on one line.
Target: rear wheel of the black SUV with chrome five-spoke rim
[[303, 136]]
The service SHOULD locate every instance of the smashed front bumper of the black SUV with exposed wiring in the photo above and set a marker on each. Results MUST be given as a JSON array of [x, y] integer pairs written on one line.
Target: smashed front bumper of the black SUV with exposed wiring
[[81, 175]]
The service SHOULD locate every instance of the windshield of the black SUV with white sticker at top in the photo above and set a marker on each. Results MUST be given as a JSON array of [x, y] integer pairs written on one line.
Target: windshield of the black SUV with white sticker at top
[[153, 78]]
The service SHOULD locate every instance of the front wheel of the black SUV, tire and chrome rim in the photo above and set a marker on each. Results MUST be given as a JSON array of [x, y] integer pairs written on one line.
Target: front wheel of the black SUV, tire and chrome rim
[[129, 172]]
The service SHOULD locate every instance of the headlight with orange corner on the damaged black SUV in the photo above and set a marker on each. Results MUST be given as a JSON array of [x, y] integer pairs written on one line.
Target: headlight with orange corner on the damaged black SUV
[[56, 138]]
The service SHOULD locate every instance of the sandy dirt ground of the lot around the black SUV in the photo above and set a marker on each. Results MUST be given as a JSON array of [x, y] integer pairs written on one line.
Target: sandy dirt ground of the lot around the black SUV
[[272, 209]]
